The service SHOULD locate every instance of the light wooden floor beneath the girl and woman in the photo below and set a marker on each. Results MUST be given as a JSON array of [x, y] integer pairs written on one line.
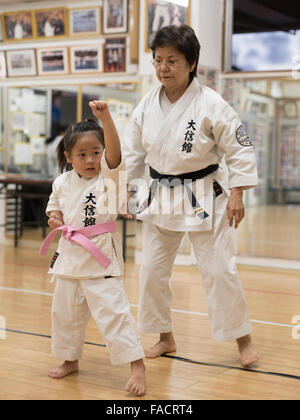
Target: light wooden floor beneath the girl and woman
[[201, 368]]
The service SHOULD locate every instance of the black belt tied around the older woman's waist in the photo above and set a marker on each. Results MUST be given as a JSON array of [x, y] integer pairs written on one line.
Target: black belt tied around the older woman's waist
[[171, 181]]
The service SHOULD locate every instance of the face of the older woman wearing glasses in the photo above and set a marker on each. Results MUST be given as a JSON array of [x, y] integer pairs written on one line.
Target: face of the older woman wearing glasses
[[172, 68]]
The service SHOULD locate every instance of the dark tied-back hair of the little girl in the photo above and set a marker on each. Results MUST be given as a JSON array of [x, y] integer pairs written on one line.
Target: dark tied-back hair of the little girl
[[73, 133]]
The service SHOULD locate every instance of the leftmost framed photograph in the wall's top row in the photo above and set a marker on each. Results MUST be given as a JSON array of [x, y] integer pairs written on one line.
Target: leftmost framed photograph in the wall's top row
[[17, 26]]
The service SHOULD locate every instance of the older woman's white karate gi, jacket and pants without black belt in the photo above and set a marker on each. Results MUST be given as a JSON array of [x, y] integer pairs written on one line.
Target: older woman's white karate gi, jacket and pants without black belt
[[198, 131]]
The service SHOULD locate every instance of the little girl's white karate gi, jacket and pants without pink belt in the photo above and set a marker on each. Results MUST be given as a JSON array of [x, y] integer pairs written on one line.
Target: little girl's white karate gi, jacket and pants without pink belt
[[83, 286]]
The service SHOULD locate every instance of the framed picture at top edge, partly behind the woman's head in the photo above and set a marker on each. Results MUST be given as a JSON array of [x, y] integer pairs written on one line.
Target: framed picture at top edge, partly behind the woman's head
[[160, 13]]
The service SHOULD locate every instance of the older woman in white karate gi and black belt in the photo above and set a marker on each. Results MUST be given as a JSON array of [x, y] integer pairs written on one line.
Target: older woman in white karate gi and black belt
[[182, 130]]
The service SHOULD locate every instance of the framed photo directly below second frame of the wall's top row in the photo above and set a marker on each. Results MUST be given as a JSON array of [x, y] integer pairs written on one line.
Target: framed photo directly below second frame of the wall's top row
[[53, 60]]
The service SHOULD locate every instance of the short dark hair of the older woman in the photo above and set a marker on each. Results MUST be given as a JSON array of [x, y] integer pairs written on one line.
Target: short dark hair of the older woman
[[184, 39]]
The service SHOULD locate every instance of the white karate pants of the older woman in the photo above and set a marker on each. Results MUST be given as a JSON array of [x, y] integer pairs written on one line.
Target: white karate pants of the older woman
[[215, 252]]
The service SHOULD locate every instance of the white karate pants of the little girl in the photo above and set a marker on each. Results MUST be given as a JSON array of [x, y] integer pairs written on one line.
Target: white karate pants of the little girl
[[105, 298]]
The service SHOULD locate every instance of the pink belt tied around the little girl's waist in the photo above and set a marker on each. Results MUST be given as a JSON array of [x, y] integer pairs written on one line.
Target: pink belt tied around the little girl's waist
[[80, 236]]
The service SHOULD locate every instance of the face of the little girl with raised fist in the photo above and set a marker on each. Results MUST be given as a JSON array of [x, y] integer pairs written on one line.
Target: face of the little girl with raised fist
[[86, 155]]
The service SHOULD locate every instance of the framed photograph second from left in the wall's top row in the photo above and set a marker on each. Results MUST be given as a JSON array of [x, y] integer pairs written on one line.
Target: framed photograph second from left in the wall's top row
[[51, 23]]
